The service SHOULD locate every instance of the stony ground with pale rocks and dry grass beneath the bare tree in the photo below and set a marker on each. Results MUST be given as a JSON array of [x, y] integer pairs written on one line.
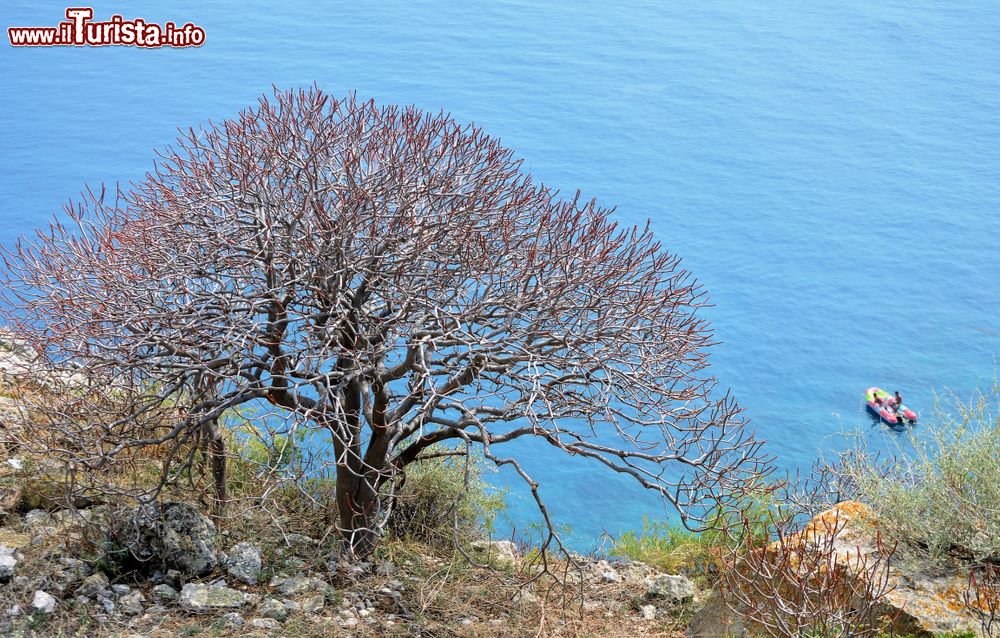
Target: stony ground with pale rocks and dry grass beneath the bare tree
[[297, 587]]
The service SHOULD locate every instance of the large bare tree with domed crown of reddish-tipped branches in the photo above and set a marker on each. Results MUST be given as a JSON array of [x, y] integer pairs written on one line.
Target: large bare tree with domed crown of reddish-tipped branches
[[388, 277]]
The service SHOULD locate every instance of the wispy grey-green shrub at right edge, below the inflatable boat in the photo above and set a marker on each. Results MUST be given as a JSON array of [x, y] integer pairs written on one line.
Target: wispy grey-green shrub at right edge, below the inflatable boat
[[942, 497]]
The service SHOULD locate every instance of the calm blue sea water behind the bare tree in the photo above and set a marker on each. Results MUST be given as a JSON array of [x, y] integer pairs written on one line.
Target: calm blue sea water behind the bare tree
[[829, 170]]
